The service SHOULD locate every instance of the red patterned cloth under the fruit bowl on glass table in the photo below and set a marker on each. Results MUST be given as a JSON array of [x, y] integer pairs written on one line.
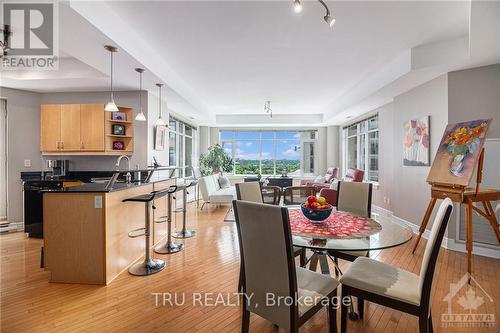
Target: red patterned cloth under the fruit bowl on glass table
[[340, 225]]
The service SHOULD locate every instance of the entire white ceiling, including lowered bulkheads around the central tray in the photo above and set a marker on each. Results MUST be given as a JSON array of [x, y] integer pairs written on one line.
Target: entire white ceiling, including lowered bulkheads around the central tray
[[223, 58]]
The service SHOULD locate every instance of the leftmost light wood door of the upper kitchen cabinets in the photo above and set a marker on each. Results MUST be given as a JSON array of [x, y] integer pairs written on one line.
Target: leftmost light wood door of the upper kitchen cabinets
[[50, 131]]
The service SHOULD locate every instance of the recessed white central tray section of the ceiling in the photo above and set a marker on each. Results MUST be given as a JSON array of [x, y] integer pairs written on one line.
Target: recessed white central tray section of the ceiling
[[235, 55]]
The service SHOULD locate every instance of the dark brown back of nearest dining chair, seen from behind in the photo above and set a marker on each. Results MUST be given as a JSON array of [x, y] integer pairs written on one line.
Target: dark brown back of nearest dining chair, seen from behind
[[266, 251]]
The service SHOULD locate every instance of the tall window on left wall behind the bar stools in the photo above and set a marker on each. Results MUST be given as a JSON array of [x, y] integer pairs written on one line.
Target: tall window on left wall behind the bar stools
[[181, 145]]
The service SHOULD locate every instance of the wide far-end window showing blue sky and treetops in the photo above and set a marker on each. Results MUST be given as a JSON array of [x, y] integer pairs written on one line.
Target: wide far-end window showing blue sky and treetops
[[270, 152]]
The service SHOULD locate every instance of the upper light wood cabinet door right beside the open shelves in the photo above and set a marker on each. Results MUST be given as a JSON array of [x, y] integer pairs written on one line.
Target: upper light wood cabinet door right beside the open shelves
[[92, 127]]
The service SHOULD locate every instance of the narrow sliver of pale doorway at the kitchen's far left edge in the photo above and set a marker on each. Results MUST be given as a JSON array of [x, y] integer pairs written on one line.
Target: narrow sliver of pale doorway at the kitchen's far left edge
[[3, 160]]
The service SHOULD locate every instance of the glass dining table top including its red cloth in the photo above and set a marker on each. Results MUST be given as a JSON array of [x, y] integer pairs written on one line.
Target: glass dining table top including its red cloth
[[379, 232]]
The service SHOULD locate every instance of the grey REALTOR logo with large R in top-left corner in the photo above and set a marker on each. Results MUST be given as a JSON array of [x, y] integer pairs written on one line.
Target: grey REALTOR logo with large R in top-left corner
[[33, 40]]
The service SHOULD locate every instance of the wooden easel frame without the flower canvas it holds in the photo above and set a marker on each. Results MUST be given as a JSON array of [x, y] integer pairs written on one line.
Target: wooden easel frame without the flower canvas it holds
[[468, 197]]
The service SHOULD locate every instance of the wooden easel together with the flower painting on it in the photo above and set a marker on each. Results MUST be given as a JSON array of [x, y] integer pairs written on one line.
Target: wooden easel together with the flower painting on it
[[461, 152]]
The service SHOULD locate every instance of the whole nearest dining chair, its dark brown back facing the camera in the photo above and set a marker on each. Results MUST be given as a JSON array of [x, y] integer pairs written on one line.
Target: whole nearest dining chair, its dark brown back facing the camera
[[266, 250]]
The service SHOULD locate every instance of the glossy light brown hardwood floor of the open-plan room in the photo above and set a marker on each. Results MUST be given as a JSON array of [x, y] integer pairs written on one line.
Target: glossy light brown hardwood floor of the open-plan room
[[209, 264]]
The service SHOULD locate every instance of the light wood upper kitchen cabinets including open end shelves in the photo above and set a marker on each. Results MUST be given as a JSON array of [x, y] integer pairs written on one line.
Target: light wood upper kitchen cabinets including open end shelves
[[85, 129]]
